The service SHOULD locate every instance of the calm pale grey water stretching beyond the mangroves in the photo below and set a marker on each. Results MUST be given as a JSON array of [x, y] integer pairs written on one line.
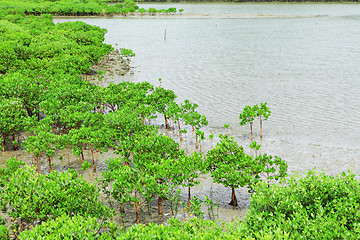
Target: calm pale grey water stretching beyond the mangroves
[[303, 59]]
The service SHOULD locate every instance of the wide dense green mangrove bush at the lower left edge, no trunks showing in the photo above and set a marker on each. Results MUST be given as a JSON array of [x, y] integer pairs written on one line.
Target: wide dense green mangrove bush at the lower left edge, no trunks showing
[[38, 197]]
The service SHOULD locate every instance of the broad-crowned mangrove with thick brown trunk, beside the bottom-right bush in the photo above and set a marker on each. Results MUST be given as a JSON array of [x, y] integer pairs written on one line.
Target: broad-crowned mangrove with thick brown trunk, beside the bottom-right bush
[[229, 165]]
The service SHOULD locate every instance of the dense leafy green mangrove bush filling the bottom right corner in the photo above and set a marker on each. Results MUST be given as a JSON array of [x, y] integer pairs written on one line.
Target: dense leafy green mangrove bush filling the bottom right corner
[[312, 206]]
